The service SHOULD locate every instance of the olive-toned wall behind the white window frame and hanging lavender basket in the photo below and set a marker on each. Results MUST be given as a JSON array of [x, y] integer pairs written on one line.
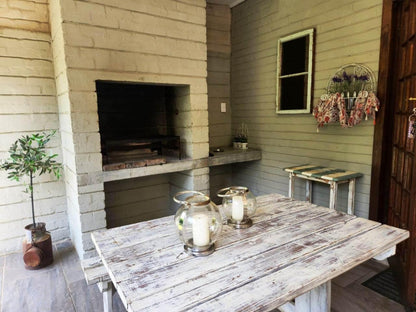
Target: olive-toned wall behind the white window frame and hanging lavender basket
[[346, 32]]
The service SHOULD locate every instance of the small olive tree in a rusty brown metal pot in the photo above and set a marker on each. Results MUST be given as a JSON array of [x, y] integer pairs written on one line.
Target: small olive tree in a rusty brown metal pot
[[28, 159]]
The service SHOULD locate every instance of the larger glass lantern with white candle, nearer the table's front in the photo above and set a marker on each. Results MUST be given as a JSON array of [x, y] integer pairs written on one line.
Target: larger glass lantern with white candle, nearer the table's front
[[198, 221]]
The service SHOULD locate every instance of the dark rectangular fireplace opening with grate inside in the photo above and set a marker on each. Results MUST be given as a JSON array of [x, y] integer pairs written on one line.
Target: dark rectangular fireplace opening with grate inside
[[139, 123]]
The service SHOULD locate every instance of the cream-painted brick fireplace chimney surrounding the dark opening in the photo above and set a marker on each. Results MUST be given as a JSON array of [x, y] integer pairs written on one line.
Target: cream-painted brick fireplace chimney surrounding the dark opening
[[140, 42]]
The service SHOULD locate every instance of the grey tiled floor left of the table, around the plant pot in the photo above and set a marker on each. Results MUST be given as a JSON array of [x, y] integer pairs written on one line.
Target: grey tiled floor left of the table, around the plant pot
[[58, 287]]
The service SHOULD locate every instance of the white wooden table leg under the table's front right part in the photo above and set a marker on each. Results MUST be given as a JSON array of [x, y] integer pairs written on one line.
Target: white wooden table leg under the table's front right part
[[315, 300]]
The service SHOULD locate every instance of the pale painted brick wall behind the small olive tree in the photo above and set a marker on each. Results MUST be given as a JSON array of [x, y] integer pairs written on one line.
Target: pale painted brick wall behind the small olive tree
[[28, 104]]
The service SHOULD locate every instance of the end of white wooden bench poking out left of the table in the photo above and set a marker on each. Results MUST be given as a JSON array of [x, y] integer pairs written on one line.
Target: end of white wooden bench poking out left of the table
[[96, 273]]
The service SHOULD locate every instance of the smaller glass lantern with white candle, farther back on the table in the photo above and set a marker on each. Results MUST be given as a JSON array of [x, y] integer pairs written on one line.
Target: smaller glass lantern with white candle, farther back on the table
[[238, 204]]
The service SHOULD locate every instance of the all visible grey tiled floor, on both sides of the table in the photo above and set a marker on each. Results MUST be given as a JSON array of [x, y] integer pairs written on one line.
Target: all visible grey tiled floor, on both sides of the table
[[61, 287]]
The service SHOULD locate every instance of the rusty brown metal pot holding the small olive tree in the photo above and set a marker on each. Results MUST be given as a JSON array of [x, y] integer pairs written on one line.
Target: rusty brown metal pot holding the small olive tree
[[37, 247]]
